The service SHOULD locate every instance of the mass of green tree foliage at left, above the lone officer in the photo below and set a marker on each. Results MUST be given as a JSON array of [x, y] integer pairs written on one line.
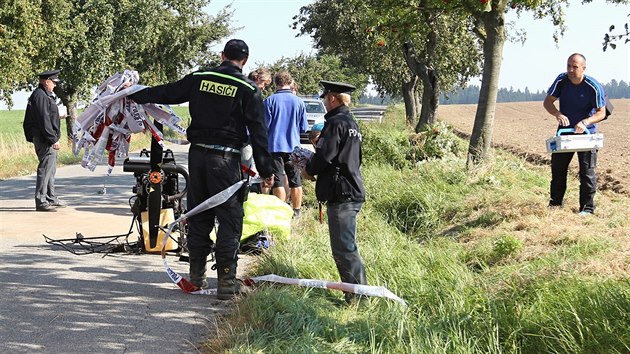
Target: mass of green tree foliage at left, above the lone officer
[[91, 39]]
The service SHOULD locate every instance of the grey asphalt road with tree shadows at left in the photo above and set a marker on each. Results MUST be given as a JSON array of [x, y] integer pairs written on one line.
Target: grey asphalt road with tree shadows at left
[[56, 302]]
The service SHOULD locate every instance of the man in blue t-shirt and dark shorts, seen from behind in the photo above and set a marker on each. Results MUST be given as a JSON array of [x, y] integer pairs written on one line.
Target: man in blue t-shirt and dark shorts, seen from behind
[[286, 119]]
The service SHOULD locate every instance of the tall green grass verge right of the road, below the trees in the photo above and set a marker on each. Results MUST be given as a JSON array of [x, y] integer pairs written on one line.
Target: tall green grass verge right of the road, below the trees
[[482, 264]]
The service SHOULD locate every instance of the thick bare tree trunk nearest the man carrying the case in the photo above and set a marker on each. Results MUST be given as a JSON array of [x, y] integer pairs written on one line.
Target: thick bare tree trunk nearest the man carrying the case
[[481, 137]]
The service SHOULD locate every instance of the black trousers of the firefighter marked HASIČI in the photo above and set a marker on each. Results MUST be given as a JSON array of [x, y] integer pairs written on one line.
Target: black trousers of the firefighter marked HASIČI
[[210, 173]]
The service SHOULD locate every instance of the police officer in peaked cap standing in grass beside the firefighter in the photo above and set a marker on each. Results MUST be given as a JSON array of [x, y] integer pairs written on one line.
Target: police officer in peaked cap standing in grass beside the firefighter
[[337, 163]]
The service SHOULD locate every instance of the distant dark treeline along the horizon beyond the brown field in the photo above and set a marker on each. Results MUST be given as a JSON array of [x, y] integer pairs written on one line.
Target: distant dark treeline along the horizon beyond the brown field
[[614, 89]]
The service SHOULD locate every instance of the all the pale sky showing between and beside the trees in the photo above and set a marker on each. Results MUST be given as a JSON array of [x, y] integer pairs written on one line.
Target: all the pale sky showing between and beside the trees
[[265, 26]]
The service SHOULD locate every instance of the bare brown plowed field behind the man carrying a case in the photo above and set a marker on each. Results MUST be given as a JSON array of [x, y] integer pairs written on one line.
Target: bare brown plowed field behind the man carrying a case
[[523, 127]]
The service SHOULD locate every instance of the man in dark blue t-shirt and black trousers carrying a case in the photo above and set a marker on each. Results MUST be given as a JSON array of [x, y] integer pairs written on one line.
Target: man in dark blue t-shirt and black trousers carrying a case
[[582, 105]]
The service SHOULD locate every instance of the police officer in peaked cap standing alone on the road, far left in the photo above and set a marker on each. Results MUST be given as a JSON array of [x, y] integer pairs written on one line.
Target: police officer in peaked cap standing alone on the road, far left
[[42, 128]]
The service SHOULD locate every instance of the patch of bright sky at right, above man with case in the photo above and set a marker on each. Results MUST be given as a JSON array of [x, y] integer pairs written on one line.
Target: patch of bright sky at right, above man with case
[[536, 63]]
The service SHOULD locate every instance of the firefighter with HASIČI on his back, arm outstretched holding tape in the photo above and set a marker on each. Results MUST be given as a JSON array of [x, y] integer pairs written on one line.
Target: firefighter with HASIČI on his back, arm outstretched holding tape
[[224, 105]]
